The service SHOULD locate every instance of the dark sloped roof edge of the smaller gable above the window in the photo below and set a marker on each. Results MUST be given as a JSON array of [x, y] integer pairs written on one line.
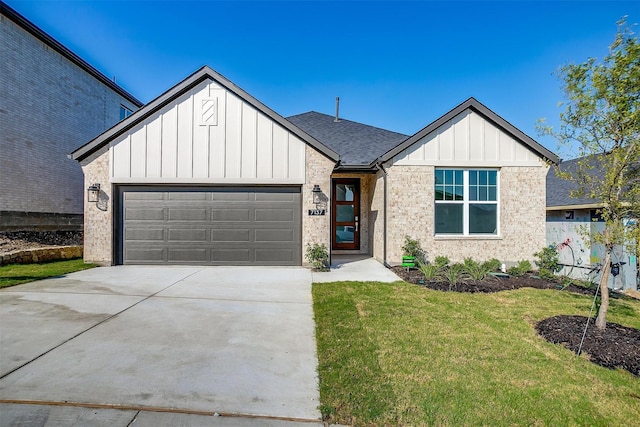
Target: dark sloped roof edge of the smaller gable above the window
[[481, 109]]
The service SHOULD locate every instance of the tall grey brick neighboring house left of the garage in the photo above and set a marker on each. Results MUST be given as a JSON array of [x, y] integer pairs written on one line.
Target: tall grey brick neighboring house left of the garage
[[51, 101]]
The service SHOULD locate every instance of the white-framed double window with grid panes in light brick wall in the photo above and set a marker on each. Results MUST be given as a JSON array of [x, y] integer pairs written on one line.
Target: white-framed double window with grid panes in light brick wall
[[466, 202]]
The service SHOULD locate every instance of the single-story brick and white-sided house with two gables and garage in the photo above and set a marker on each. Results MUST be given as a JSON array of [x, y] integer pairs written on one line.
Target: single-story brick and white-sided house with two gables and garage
[[207, 174]]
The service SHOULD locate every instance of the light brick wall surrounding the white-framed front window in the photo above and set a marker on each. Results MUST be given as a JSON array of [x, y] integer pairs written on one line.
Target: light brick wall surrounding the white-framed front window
[[410, 210]]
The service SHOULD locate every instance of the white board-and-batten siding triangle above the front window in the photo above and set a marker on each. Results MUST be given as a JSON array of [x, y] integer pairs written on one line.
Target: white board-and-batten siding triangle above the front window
[[468, 140]]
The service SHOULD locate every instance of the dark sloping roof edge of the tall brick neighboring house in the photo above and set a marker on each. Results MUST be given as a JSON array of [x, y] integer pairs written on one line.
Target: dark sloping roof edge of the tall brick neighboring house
[[65, 52]]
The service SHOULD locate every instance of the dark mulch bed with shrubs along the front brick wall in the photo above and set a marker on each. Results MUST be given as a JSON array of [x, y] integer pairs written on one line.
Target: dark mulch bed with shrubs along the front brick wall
[[490, 284]]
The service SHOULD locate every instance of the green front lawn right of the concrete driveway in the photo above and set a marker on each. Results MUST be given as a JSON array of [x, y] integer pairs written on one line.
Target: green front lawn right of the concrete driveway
[[398, 354]]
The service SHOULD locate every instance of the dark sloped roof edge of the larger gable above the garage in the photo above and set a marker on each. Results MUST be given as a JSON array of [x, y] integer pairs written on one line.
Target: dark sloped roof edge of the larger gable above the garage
[[184, 86]]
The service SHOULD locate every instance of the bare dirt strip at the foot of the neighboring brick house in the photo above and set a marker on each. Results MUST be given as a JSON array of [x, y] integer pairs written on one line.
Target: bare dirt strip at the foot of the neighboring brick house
[[20, 240]]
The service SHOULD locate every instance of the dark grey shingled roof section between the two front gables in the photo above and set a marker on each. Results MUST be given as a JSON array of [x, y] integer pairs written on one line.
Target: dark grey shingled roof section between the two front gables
[[359, 145]]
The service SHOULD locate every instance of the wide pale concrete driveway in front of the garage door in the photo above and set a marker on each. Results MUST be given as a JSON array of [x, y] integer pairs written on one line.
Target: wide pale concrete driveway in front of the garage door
[[198, 340]]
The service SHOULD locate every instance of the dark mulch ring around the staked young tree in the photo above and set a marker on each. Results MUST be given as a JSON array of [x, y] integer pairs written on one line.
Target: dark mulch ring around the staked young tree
[[615, 347]]
